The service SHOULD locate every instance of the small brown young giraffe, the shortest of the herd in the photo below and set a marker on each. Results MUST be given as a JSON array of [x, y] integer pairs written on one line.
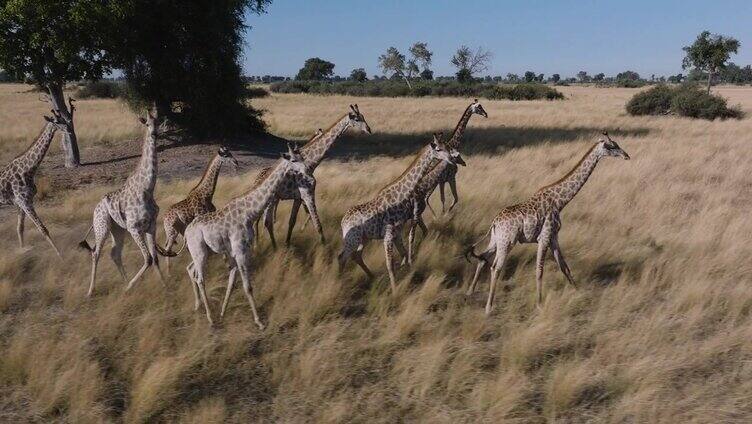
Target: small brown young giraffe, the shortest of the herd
[[198, 201]]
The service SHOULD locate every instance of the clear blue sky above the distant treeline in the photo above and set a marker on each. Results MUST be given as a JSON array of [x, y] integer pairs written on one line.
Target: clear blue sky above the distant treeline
[[543, 36]]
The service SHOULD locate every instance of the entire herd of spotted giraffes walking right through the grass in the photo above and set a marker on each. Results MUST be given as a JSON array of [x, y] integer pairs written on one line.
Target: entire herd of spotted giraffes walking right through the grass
[[232, 230]]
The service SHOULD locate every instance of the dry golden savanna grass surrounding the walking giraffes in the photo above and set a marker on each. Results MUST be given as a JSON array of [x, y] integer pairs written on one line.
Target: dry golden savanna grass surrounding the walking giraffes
[[659, 330]]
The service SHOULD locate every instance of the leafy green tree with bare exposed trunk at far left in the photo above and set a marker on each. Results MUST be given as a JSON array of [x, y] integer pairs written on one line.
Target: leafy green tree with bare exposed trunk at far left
[[50, 42]]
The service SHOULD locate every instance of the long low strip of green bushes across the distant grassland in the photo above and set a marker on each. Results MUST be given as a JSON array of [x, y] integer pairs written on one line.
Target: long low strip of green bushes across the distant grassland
[[389, 88]]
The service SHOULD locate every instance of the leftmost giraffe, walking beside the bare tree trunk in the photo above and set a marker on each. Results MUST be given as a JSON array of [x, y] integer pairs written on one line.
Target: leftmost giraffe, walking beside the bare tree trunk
[[17, 186]]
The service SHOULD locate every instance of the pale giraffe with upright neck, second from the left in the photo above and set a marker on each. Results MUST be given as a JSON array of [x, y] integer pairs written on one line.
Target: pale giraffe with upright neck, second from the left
[[131, 208]]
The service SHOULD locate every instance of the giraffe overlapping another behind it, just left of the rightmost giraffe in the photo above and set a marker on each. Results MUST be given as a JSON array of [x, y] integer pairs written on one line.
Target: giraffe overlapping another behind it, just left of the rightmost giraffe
[[383, 217]]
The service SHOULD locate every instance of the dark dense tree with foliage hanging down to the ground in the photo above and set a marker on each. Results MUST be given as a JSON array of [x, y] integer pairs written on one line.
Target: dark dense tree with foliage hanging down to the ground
[[184, 56]]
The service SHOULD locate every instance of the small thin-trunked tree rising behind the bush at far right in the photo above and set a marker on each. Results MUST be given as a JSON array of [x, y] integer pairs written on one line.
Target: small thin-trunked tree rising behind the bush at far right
[[709, 54]]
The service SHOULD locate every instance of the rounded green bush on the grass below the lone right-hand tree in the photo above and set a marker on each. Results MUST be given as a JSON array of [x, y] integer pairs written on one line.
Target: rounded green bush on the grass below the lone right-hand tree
[[685, 100]]
